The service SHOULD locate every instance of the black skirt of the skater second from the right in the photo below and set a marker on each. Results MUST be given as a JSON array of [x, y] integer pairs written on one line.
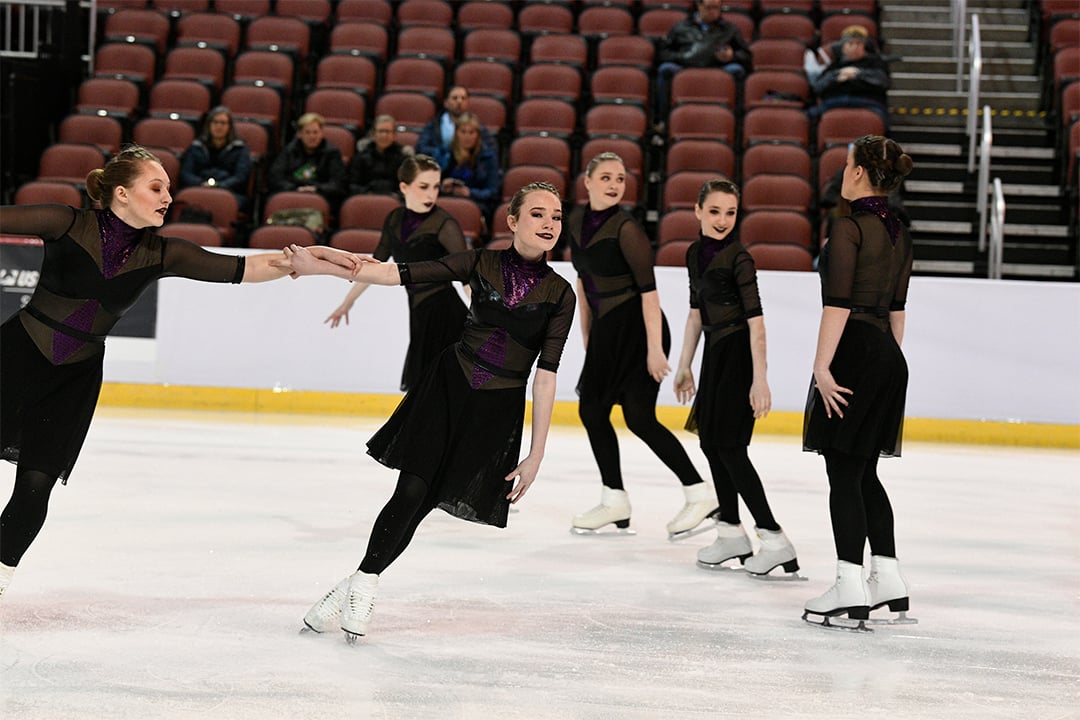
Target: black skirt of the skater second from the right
[[722, 415]]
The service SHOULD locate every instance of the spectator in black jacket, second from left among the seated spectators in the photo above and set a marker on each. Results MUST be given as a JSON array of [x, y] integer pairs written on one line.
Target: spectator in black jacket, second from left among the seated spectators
[[309, 164]]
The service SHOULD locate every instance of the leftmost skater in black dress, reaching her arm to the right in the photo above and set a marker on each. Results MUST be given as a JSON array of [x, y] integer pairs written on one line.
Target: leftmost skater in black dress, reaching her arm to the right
[[97, 265]]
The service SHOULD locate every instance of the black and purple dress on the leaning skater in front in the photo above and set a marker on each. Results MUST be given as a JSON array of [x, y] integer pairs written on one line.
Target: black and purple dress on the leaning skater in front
[[461, 428]]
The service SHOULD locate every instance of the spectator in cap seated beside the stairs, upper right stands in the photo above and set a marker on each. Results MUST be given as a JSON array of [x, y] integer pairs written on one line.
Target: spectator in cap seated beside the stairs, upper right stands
[[857, 78]]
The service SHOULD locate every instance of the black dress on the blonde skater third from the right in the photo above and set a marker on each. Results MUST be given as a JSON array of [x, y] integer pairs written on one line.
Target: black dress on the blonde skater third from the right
[[614, 260]]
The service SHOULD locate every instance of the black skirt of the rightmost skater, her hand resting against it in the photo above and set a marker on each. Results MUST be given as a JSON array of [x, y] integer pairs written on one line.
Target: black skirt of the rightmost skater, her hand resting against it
[[871, 364]]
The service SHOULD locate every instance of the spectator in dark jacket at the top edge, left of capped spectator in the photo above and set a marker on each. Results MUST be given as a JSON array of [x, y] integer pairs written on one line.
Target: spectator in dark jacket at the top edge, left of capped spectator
[[704, 40]]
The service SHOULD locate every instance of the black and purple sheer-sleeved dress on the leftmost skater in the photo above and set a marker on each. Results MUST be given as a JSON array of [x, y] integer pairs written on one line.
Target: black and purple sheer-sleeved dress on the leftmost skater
[[51, 351]]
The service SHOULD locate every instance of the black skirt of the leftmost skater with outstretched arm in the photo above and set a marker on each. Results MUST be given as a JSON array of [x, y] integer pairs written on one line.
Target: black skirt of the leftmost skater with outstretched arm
[[45, 410]]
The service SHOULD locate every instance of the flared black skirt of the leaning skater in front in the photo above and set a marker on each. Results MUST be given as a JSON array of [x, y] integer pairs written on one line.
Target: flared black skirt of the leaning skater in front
[[462, 442]]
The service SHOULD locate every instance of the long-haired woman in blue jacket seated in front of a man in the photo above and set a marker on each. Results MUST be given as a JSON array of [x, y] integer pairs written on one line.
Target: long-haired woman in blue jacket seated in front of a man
[[470, 169]]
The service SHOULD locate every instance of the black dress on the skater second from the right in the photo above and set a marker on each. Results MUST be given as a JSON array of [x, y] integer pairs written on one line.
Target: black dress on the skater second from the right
[[724, 288]]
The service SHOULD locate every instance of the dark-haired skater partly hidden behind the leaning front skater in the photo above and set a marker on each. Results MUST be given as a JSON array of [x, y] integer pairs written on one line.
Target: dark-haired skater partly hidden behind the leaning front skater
[[421, 230]]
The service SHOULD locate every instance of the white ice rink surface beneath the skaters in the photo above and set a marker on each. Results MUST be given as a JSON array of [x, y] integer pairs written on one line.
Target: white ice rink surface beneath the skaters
[[173, 573]]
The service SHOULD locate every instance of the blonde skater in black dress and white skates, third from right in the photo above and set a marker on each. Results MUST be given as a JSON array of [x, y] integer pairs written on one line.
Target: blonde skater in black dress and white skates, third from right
[[627, 344]]
